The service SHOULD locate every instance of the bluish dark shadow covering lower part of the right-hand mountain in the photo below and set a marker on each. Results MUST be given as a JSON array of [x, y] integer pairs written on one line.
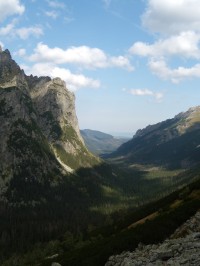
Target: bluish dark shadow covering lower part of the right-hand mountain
[[179, 152]]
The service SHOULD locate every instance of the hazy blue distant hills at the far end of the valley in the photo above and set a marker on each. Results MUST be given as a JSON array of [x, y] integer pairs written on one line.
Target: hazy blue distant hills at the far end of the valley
[[101, 143]]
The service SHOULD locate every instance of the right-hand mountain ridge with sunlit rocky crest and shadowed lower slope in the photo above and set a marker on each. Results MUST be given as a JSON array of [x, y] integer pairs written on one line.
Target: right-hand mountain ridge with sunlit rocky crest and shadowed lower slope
[[172, 143]]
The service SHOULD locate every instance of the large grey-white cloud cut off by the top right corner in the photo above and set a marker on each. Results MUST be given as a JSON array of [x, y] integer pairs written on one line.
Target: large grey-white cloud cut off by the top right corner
[[172, 16]]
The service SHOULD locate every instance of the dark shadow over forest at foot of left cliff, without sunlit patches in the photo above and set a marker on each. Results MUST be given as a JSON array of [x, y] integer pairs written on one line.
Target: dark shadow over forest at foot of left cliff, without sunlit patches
[[34, 211]]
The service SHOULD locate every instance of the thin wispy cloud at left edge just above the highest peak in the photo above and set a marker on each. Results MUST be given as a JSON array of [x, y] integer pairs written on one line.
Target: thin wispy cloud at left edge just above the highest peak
[[10, 30]]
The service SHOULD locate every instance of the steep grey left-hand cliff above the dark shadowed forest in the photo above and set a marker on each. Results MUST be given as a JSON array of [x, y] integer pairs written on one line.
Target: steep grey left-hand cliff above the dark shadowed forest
[[40, 138]]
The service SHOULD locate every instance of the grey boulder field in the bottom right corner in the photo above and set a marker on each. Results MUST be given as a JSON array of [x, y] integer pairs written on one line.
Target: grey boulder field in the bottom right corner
[[174, 251]]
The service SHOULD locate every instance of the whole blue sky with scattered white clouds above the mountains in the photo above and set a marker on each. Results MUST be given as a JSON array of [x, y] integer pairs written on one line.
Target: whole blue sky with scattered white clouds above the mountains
[[130, 63]]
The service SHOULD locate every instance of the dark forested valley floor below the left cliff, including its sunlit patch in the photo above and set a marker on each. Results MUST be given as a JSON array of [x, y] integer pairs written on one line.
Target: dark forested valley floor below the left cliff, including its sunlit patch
[[32, 211]]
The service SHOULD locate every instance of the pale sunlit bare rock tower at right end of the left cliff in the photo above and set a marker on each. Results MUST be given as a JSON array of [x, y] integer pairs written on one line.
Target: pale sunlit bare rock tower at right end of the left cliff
[[55, 103]]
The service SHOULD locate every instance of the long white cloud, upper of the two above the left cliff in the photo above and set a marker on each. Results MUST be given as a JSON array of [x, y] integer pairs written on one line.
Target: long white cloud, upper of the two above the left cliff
[[83, 55]]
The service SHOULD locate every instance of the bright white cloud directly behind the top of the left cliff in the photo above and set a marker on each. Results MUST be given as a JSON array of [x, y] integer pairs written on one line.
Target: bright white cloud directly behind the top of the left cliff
[[73, 81]]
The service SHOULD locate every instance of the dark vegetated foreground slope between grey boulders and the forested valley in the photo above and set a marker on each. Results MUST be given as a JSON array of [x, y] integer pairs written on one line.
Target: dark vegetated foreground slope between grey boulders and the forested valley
[[126, 232]]
